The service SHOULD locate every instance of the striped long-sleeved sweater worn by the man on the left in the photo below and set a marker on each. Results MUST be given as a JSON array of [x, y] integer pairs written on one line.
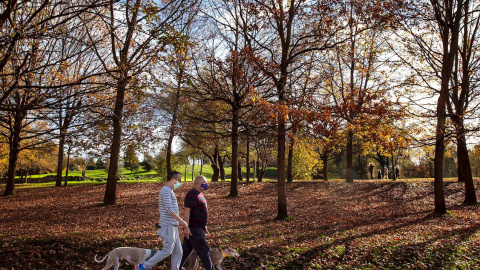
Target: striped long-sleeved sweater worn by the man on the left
[[167, 204]]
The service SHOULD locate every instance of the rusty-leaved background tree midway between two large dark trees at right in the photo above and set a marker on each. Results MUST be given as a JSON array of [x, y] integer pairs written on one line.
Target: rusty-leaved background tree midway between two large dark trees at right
[[356, 75]]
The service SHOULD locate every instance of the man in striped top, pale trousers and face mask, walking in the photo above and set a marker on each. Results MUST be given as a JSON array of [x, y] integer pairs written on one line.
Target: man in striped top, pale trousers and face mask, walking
[[169, 221]]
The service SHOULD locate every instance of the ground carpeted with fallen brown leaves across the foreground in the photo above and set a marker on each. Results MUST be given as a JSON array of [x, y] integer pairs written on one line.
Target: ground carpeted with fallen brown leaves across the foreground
[[332, 225]]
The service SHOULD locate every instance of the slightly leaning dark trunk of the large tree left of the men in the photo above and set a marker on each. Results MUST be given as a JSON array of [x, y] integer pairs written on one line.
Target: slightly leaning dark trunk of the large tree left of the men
[[111, 186]]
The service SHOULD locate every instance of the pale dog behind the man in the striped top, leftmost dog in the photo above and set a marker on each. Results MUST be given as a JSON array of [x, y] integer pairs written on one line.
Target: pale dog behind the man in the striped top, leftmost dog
[[134, 256]]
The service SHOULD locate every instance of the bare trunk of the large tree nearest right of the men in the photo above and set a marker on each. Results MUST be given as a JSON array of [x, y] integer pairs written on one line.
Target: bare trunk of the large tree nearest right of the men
[[282, 193]]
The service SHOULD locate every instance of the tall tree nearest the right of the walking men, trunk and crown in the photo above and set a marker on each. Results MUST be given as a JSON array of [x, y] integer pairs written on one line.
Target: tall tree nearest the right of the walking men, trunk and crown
[[278, 34]]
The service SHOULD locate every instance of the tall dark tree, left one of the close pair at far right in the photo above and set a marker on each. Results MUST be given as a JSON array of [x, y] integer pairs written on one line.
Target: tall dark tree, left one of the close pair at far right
[[437, 41]]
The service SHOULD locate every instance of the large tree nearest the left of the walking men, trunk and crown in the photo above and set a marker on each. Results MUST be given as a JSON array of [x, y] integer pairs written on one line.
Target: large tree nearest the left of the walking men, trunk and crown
[[137, 34]]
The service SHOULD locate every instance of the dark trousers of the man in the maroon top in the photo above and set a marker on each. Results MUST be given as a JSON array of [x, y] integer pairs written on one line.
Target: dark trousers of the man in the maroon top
[[198, 242]]
